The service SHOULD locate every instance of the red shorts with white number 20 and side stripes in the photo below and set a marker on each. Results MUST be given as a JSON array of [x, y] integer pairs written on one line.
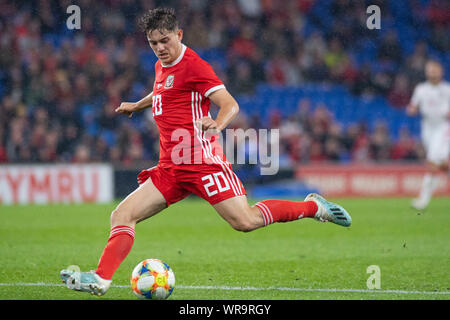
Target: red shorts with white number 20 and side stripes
[[213, 182]]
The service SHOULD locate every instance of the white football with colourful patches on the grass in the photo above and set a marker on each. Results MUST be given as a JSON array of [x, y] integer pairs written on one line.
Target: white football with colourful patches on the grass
[[152, 279]]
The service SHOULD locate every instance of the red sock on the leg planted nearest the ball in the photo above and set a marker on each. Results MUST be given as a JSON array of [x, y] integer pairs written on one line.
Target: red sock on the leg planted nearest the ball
[[119, 245]]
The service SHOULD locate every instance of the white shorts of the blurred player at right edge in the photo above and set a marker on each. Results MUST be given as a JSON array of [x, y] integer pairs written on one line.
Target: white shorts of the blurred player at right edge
[[436, 140]]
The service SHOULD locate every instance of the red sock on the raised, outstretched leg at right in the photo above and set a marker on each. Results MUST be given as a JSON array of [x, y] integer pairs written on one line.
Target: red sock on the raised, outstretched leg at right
[[285, 210]]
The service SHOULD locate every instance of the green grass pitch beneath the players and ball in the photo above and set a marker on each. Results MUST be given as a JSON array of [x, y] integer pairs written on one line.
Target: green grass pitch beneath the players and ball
[[304, 259]]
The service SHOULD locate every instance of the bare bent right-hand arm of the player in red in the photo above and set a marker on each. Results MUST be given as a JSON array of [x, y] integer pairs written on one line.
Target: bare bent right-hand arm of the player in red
[[228, 109]]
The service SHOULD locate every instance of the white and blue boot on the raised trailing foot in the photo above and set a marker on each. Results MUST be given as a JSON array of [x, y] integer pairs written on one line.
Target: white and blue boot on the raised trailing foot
[[329, 212]]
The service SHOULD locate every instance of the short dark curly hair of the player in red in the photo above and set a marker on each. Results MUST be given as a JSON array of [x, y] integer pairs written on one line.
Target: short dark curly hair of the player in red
[[159, 19]]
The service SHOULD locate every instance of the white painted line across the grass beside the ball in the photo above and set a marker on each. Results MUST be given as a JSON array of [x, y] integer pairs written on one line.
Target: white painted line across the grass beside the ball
[[42, 284]]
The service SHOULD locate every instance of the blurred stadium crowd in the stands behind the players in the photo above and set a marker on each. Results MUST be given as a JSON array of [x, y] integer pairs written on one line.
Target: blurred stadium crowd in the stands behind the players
[[59, 87]]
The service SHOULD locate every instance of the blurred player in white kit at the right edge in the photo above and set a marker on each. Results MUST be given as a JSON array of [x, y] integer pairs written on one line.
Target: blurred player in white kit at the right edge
[[432, 100]]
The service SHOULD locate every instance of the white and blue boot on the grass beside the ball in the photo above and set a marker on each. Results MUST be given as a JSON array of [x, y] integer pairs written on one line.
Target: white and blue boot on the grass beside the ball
[[85, 281]]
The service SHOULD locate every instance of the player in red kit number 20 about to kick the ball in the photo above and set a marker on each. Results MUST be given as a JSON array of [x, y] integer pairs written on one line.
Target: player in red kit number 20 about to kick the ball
[[191, 158]]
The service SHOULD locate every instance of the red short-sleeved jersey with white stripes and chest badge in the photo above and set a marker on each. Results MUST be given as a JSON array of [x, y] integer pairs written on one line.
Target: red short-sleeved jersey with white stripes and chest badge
[[180, 98]]
